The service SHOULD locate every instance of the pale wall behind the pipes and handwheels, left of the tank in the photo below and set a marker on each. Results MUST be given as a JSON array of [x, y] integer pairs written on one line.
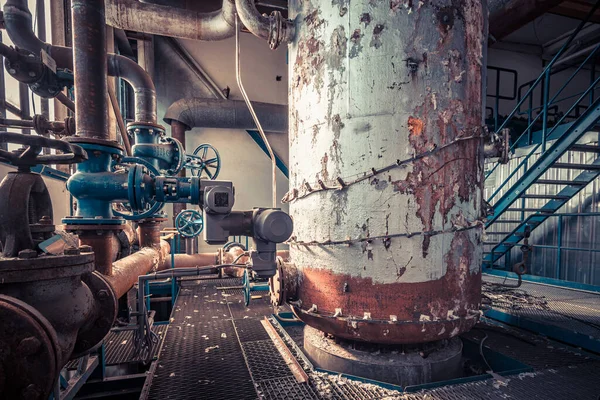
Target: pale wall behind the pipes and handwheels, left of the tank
[[243, 162]]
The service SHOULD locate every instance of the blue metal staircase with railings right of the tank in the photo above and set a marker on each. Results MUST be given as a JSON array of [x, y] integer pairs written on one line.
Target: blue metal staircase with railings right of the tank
[[520, 188]]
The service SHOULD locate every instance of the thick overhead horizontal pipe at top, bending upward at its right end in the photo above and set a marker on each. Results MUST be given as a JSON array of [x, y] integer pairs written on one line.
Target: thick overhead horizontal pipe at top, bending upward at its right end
[[171, 21]]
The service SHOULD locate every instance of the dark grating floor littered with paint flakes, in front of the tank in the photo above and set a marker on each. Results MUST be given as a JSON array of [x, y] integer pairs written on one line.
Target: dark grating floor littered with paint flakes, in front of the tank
[[215, 348]]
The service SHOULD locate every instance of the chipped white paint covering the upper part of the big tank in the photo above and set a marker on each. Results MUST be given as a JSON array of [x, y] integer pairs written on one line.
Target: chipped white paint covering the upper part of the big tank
[[351, 95]]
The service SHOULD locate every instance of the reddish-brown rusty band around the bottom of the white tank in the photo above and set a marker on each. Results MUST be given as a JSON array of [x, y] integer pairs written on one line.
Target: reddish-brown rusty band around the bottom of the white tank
[[453, 298]]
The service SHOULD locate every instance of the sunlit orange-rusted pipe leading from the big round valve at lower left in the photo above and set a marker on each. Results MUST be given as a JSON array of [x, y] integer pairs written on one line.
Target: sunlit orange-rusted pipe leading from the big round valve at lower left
[[126, 271]]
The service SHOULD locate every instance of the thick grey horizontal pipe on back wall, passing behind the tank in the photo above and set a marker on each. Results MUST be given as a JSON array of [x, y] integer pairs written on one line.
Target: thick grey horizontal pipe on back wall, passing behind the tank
[[231, 114]]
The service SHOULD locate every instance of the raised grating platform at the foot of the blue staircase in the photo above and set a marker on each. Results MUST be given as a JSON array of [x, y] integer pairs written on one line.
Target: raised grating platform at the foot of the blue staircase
[[564, 308]]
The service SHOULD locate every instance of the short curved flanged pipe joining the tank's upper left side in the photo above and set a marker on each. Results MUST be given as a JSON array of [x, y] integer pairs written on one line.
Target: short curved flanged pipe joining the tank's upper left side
[[274, 28]]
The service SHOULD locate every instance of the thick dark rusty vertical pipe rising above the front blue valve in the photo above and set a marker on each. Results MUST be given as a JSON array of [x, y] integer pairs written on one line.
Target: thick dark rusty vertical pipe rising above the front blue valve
[[89, 60]]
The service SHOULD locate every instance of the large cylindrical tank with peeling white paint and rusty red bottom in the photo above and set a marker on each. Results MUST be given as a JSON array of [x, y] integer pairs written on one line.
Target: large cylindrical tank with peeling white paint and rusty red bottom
[[386, 166]]
